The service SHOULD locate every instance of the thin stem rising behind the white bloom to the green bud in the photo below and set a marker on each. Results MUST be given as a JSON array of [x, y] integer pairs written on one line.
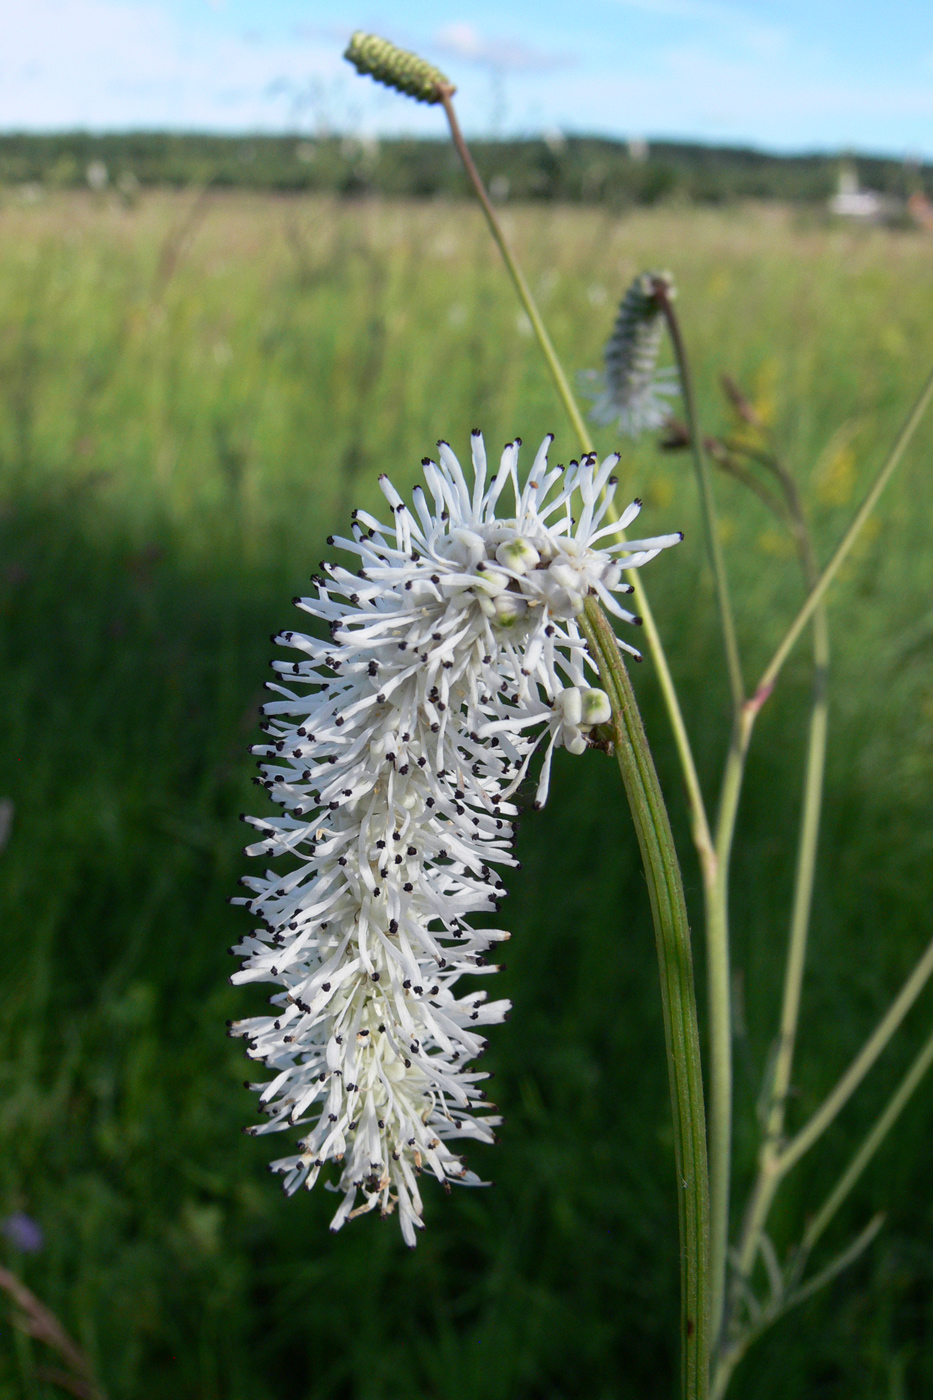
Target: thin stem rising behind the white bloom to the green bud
[[700, 822]]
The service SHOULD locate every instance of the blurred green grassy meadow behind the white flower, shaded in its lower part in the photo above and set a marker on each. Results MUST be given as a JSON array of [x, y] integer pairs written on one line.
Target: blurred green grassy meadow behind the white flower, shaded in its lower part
[[195, 390]]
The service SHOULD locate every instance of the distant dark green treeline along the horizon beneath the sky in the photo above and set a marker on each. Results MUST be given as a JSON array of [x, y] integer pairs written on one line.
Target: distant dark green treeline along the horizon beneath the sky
[[578, 169]]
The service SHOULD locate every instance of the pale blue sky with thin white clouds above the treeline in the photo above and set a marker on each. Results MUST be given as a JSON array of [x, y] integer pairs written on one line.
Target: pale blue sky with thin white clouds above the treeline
[[802, 75]]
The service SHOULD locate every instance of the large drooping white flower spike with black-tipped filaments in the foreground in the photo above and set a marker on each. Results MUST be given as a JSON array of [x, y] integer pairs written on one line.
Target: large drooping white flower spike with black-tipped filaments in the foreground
[[396, 750]]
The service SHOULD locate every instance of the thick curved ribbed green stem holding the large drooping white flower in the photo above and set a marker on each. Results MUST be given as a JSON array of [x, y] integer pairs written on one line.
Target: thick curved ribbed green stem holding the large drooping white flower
[[679, 999]]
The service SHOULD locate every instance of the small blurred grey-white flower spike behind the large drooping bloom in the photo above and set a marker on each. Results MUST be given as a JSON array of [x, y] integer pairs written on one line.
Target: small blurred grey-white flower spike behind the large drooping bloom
[[633, 390]]
